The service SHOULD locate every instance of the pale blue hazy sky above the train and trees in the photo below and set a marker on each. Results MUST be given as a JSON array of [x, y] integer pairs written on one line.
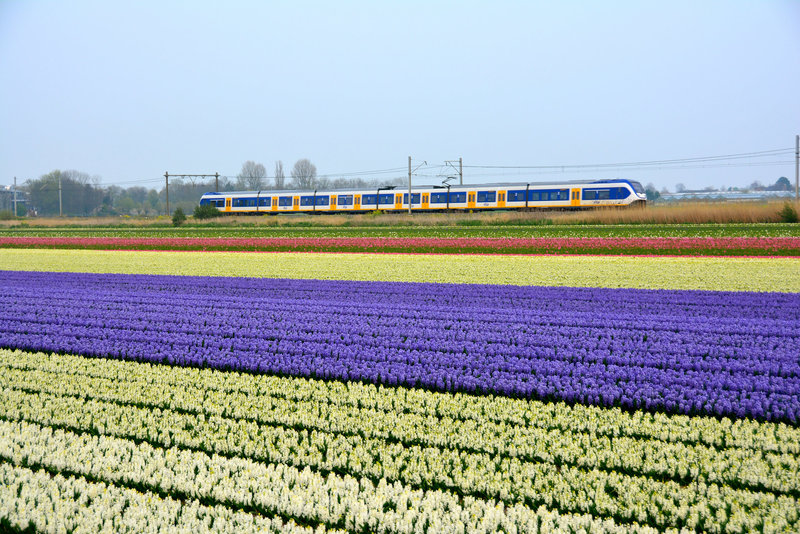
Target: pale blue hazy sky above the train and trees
[[129, 90]]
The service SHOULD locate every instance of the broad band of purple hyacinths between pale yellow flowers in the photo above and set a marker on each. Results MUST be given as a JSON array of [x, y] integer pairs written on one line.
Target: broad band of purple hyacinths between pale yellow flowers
[[726, 354]]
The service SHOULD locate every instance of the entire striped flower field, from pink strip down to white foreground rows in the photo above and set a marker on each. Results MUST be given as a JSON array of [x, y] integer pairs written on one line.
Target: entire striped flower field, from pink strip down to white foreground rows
[[498, 388]]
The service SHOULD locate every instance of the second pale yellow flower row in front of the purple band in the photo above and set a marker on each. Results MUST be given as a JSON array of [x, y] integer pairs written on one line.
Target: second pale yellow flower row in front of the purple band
[[679, 461]]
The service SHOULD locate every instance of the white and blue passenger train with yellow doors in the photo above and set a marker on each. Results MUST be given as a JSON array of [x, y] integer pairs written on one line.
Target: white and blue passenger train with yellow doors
[[505, 196]]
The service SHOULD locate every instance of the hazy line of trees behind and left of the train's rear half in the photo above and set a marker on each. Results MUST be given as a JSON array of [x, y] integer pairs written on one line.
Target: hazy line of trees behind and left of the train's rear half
[[82, 195]]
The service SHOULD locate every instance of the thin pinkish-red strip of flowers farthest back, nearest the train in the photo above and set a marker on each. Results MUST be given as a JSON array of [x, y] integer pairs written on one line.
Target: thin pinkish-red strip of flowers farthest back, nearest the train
[[781, 246]]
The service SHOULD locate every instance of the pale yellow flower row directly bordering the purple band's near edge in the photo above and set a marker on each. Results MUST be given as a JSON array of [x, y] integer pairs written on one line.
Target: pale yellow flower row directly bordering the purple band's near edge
[[478, 411]]
